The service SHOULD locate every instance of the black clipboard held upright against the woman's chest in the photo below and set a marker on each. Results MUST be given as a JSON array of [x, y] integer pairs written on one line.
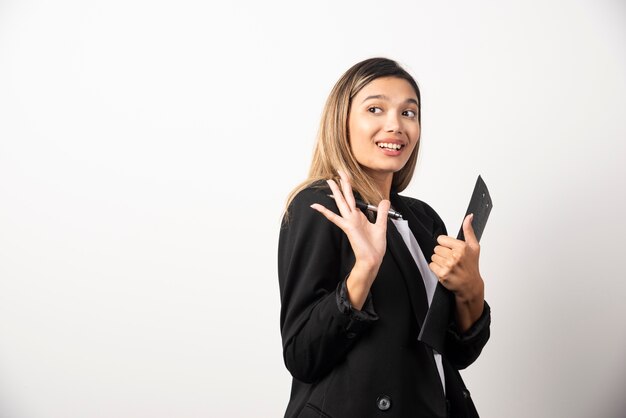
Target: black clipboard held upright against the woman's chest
[[435, 326]]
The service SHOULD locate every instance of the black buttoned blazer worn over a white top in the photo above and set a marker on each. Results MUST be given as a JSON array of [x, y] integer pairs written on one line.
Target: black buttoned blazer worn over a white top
[[347, 363]]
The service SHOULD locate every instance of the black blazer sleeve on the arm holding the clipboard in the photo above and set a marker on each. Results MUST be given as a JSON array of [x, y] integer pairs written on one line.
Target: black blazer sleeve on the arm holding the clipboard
[[462, 349]]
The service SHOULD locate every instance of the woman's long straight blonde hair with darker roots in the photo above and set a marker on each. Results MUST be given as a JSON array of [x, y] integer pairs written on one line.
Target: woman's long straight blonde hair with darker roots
[[333, 151]]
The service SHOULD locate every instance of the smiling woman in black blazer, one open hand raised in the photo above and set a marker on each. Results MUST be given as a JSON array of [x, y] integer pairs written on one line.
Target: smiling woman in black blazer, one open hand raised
[[356, 284]]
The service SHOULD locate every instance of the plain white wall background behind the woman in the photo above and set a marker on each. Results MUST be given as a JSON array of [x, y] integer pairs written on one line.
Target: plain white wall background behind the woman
[[147, 147]]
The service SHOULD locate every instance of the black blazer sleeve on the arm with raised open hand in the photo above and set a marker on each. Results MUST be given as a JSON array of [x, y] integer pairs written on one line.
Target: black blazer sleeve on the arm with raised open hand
[[318, 326]]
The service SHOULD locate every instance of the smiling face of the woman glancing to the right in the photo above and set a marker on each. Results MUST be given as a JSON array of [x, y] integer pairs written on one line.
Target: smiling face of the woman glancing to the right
[[383, 126]]
